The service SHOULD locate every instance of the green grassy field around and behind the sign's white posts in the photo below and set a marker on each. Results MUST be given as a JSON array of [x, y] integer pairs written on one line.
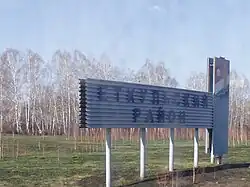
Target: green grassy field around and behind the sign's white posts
[[55, 161]]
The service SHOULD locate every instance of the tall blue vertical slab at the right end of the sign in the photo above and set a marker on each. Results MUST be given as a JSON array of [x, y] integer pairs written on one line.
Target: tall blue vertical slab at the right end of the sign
[[221, 113]]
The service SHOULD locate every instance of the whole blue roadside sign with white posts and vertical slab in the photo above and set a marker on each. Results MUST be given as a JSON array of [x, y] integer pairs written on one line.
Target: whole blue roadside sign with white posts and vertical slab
[[110, 104]]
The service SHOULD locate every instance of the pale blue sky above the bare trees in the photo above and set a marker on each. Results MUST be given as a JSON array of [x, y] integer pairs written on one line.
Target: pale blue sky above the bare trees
[[180, 33]]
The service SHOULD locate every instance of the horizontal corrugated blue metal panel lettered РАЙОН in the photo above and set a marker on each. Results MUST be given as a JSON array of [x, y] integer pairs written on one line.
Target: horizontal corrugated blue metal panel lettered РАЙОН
[[111, 104]]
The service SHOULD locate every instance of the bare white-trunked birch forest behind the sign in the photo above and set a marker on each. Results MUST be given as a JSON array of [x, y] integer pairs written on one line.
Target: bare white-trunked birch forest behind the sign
[[39, 97]]
